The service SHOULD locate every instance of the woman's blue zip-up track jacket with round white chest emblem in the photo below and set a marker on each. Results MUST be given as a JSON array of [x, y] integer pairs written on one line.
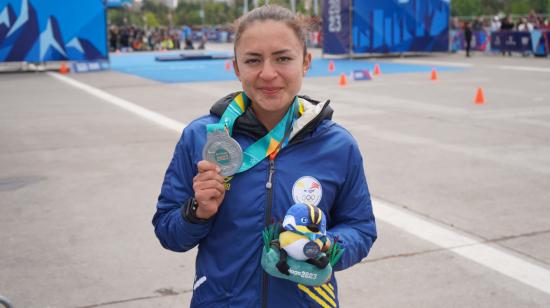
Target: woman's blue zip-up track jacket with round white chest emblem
[[322, 164]]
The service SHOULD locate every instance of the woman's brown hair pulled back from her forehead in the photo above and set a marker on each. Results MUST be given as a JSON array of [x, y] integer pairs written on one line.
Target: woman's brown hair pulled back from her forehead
[[276, 13]]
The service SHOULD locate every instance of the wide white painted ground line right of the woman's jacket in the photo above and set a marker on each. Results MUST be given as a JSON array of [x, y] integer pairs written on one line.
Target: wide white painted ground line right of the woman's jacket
[[473, 249]]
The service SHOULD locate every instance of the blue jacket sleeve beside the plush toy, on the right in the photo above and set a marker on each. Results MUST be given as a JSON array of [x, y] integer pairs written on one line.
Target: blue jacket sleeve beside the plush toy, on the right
[[352, 220]]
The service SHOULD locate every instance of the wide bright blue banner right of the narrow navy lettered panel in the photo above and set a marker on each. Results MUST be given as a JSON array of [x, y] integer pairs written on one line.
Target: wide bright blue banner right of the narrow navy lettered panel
[[394, 26]]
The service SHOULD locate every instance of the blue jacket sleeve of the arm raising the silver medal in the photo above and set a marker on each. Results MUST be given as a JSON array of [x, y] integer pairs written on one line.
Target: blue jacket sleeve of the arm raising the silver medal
[[173, 231]]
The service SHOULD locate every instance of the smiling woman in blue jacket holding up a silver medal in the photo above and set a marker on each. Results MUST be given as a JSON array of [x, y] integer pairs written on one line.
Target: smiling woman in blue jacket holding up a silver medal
[[304, 158]]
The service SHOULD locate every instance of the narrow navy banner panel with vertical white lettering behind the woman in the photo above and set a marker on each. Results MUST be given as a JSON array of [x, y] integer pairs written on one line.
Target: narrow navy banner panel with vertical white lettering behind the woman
[[336, 26]]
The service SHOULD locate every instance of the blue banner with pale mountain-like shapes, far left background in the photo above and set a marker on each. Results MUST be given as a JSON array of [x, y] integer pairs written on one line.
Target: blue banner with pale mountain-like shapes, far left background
[[52, 30]]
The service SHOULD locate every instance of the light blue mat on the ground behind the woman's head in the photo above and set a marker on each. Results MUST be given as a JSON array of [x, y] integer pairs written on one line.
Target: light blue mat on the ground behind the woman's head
[[144, 65]]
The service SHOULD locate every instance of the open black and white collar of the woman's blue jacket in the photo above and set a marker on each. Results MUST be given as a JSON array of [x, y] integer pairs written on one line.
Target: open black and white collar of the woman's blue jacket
[[247, 124]]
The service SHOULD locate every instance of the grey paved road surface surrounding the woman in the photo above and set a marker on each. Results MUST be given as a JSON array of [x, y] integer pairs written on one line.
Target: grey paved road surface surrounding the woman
[[462, 191]]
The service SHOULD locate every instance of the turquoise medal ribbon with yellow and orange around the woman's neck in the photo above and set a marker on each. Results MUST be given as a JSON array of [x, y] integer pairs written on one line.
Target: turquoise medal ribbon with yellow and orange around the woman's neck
[[273, 141]]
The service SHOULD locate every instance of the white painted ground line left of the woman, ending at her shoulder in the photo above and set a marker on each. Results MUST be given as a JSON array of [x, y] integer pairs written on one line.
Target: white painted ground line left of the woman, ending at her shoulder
[[124, 104]]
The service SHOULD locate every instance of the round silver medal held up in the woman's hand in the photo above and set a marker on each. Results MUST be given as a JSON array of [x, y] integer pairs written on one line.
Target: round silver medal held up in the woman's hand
[[224, 151]]
